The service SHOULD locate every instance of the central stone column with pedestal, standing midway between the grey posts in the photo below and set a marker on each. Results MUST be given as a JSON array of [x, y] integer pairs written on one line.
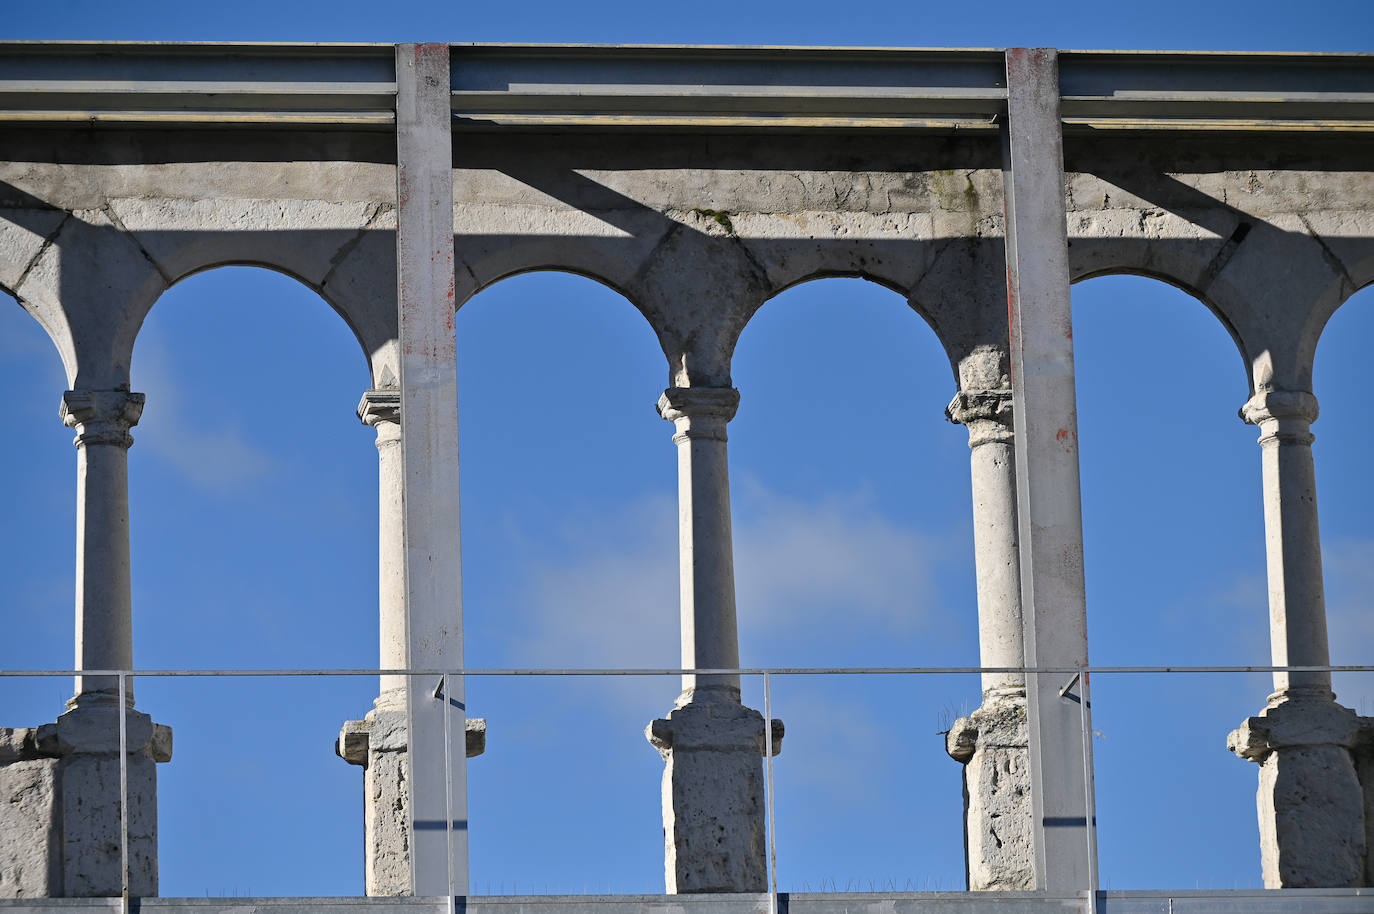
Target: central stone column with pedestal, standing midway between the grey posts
[[712, 746]]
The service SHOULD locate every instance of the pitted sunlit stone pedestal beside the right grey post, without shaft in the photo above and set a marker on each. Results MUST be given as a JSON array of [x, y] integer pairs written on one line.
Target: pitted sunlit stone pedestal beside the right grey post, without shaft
[[994, 747]]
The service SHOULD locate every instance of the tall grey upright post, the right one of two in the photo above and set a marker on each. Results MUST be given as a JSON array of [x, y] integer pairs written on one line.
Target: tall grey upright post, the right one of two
[[1049, 509]]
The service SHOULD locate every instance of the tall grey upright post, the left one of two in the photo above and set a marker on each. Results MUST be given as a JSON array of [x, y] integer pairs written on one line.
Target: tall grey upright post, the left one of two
[[438, 769]]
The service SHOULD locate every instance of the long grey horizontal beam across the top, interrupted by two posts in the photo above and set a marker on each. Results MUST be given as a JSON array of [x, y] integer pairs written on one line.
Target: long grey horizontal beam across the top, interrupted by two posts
[[682, 87]]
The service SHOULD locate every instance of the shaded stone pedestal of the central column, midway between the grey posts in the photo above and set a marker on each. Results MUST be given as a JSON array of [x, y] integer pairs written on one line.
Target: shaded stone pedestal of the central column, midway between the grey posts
[[715, 829]]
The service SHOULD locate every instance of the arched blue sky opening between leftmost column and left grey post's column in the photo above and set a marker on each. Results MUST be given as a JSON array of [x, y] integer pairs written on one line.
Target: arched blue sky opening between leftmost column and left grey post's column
[[249, 457]]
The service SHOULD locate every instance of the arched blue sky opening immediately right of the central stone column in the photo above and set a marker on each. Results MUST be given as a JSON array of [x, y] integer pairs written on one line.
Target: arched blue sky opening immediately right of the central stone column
[[833, 533]]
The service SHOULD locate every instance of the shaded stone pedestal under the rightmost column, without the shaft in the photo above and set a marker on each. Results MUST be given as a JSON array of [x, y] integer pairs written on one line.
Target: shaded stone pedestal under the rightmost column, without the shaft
[[1311, 805]]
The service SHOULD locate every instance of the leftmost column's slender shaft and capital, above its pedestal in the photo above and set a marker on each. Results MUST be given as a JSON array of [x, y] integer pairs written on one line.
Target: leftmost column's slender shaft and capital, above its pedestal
[[105, 601]]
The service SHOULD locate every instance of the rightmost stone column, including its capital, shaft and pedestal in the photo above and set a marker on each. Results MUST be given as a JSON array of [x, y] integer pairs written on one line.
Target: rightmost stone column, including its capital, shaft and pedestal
[[1310, 799]]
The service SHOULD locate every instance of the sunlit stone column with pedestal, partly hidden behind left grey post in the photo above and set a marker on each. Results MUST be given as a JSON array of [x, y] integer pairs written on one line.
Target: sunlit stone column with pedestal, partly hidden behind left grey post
[[379, 743]]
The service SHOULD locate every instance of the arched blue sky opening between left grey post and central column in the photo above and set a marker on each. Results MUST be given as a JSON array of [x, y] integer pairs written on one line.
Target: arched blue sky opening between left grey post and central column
[[570, 538]]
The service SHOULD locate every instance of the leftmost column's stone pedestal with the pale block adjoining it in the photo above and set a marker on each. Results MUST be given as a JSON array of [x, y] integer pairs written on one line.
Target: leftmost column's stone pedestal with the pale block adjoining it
[[61, 784]]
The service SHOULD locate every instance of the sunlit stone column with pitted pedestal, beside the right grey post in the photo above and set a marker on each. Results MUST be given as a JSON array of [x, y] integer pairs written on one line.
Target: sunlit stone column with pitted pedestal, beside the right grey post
[[993, 742]]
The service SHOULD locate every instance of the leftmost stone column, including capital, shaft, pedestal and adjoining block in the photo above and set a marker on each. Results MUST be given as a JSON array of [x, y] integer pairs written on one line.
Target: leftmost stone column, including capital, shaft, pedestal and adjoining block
[[65, 777]]
